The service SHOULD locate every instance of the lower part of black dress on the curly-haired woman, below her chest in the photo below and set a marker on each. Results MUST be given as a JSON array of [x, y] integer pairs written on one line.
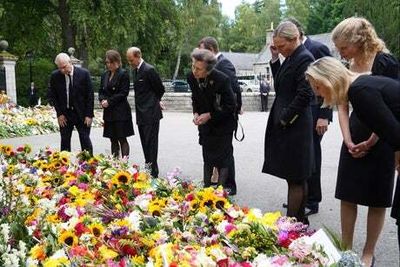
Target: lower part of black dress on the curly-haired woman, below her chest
[[369, 180]]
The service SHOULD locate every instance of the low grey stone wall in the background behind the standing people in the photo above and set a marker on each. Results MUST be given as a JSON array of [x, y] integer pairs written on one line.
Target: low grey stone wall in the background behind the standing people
[[183, 101]]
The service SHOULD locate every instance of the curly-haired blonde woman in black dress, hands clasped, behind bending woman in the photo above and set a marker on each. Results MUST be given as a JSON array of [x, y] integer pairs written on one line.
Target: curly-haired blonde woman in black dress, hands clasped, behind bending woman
[[364, 159]]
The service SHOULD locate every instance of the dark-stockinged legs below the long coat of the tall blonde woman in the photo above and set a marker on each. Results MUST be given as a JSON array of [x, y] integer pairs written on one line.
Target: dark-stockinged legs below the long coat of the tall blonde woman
[[297, 197]]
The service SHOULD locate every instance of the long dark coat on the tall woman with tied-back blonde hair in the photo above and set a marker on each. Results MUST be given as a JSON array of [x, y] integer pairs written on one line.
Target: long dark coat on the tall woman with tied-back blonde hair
[[289, 150]]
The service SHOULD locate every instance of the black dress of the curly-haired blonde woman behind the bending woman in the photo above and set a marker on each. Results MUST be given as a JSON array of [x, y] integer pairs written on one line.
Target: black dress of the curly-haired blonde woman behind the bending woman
[[369, 180]]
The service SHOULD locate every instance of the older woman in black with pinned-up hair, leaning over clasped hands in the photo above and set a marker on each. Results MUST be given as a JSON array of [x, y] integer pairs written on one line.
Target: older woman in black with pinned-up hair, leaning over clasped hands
[[213, 112]]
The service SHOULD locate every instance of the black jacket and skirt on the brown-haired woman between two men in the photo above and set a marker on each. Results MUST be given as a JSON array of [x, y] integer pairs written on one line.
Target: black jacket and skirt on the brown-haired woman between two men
[[118, 115]]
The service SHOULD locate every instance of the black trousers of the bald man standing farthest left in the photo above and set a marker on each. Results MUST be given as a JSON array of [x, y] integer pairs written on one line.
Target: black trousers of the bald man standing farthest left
[[73, 120]]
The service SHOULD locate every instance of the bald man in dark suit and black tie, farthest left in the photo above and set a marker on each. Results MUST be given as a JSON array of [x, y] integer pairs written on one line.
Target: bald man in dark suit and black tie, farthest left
[[71, 93]]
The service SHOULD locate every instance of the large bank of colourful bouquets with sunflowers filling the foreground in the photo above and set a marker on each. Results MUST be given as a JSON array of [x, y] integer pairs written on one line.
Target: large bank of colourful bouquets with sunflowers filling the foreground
[[63, 209]]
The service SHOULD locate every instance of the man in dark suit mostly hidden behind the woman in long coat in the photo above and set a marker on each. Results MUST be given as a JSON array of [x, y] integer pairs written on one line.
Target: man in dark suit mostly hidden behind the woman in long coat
[[321, 119]]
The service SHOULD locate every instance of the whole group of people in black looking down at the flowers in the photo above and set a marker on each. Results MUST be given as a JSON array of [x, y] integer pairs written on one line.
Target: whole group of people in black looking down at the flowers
[[307, 83]]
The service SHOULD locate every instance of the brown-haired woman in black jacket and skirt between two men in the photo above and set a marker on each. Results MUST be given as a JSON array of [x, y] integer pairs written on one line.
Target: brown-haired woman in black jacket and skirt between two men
[[117, 115]]
